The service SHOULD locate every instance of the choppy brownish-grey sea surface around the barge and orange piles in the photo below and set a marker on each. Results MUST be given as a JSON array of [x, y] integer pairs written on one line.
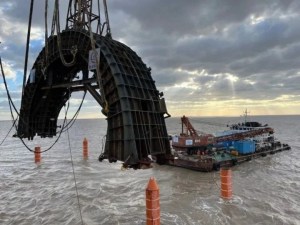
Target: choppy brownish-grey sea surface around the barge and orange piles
[[266, 190]]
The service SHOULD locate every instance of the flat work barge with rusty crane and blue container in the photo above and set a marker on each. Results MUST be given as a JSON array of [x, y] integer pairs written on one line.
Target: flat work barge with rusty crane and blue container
[[206, 152]]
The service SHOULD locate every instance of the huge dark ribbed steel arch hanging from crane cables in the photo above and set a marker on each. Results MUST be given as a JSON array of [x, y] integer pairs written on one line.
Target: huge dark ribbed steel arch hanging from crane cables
[[133, 106]]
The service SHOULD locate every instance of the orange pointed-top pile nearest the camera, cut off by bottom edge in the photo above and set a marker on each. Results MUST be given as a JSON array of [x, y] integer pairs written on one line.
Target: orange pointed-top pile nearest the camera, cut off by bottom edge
[[152, 203]]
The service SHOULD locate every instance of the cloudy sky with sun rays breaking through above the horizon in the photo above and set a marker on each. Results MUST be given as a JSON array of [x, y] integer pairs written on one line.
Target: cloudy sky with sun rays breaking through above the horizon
[[209, 57]]
